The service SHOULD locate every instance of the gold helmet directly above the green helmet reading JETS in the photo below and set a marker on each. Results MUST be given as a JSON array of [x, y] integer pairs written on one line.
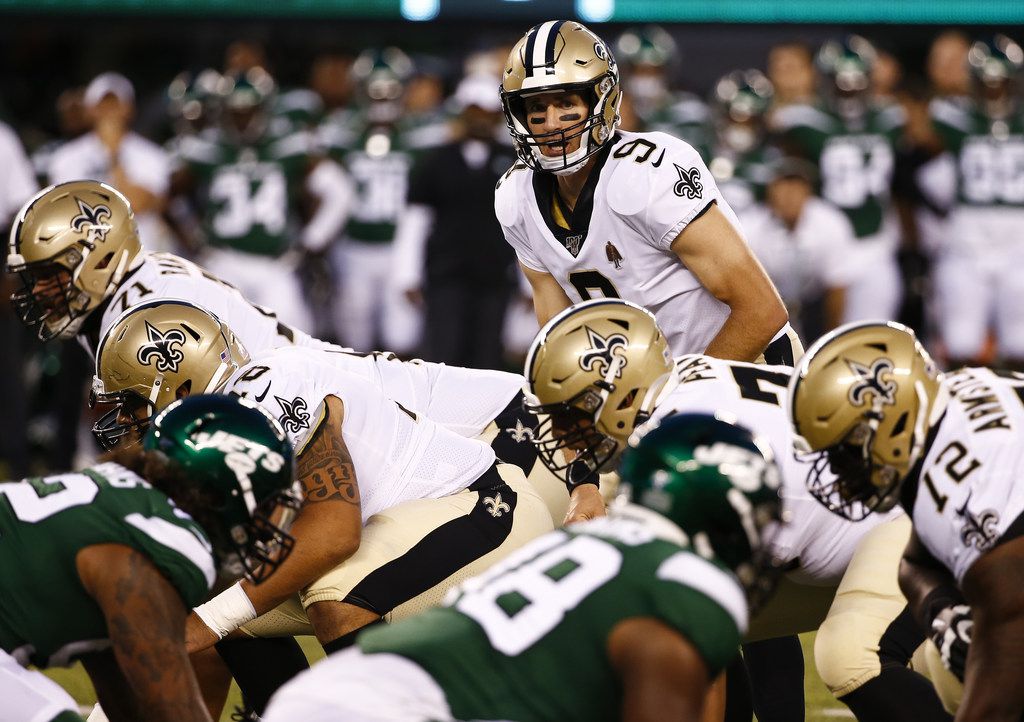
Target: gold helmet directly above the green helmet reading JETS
[[154, 355]]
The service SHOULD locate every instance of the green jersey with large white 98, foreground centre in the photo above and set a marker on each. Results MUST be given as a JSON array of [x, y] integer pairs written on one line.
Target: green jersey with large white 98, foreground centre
[[528, 641]]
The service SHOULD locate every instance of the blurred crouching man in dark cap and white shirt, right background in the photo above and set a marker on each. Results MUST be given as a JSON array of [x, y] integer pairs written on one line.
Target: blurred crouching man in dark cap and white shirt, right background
[[806, 245]]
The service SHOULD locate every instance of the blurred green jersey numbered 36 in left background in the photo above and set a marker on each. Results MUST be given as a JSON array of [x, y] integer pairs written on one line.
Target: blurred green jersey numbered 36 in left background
[[378, 159]]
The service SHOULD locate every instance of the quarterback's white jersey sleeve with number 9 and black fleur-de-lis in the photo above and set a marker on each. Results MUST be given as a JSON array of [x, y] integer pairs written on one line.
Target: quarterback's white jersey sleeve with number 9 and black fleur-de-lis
[[662, 195]]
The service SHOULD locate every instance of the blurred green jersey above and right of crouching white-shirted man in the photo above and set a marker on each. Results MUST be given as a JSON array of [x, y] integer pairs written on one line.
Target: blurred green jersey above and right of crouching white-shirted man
[[856, 160]]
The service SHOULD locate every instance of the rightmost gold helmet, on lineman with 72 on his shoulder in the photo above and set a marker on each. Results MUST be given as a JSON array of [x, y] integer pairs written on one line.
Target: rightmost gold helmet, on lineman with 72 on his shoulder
[[862, 401]]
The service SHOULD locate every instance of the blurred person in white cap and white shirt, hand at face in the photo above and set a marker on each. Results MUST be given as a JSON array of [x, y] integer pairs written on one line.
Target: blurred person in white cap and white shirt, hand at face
[[112, 152]]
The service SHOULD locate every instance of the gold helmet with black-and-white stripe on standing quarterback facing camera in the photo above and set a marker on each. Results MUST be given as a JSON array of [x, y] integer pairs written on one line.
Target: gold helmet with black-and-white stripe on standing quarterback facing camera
[[562, 56]]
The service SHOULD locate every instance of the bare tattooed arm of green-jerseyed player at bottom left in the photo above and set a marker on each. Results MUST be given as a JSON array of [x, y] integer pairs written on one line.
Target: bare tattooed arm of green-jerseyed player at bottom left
[[149, 675]]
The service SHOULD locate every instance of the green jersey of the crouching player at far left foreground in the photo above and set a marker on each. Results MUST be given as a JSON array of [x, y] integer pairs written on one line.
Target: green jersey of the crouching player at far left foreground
[[47, 617]]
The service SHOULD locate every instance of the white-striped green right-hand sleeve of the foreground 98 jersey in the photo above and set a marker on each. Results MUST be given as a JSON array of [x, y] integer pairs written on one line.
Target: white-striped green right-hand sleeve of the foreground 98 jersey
[[705, 604]]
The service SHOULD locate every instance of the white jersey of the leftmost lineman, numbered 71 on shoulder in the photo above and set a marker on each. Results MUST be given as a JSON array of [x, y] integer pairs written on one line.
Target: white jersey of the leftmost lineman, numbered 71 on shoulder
[[164, 276]]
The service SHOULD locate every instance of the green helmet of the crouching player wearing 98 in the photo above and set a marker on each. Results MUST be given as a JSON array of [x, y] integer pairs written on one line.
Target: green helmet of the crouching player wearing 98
[[719, 485]]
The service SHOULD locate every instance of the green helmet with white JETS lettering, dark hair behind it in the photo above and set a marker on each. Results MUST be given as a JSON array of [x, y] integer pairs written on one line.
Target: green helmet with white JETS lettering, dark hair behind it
[[234, 473]]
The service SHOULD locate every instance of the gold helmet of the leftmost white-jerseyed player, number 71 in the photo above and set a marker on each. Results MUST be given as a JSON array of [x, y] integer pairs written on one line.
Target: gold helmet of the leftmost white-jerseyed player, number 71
[[72, 244]]
